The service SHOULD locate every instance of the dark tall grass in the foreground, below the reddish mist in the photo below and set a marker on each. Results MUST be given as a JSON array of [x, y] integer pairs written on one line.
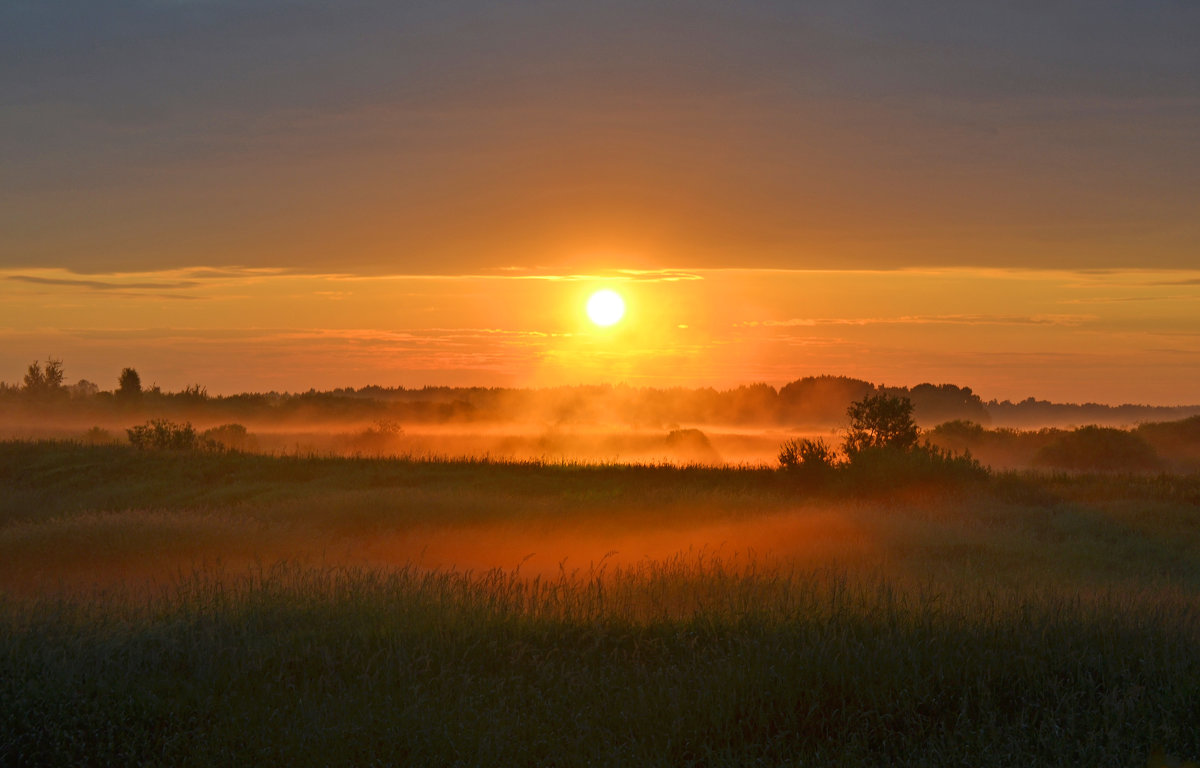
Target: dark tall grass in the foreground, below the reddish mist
[[670, 664]]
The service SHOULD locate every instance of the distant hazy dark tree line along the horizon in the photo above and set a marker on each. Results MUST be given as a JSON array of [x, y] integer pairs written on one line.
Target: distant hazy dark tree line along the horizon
[[808, 401]]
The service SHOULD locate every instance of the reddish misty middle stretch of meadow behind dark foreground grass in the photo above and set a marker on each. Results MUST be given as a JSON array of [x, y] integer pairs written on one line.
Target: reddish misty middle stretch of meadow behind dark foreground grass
[[77, 518]]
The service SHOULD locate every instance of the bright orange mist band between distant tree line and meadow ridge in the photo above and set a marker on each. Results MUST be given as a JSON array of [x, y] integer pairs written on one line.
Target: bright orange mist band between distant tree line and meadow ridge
[[1149, 447]]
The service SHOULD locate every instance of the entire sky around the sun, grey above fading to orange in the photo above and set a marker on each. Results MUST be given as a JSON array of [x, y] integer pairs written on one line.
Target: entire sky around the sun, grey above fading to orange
[[283, 195]]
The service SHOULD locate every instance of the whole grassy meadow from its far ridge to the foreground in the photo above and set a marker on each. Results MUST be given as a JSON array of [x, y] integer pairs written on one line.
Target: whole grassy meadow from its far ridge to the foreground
[[169, 608]]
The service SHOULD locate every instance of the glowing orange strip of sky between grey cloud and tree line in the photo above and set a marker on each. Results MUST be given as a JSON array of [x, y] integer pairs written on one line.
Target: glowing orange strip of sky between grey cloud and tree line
[[1114, 337]]
